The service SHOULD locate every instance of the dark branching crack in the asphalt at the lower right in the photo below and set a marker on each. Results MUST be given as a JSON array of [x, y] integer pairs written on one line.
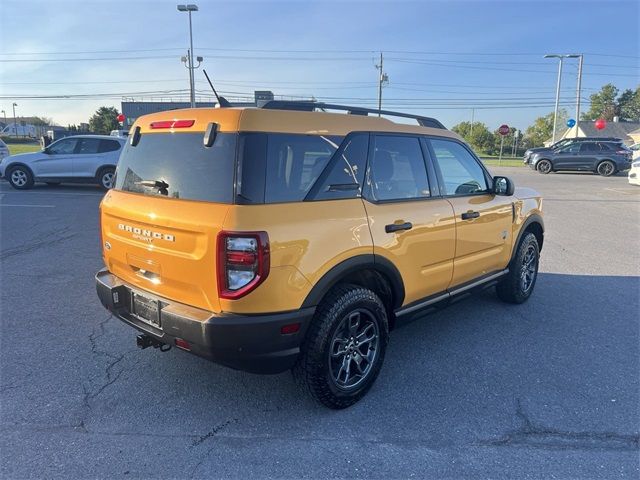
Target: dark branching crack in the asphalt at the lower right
[[530, 434]]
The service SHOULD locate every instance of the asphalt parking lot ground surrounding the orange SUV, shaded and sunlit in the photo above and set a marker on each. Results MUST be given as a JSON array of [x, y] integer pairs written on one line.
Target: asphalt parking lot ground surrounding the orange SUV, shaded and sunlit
[[548, 389]]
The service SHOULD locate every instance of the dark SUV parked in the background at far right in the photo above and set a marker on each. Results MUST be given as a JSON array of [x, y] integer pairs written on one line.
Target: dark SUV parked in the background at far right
[[604, 158]]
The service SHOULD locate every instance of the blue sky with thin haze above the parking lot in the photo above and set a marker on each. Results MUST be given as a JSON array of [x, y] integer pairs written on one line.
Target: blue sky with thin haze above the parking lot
[[443, 58]]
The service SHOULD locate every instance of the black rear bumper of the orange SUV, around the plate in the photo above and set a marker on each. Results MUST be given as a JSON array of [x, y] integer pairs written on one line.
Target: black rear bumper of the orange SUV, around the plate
[[252, 343]]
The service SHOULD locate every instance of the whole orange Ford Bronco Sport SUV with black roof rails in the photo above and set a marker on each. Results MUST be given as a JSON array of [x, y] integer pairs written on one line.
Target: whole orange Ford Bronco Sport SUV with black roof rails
[[277, 238]]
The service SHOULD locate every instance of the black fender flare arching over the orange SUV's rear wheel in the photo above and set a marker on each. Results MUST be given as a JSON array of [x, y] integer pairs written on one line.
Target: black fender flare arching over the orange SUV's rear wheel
[[351, 265]]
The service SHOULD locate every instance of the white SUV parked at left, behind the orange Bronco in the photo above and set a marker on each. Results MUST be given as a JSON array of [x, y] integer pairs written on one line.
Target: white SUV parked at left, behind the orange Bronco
[[76, 159]]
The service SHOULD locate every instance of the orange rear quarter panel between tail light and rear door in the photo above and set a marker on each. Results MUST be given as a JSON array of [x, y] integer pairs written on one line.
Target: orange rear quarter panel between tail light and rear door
[[306, 240]]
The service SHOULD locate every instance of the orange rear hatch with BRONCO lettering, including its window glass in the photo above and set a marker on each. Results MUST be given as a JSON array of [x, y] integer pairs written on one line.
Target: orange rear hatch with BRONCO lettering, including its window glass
[[160, 222]]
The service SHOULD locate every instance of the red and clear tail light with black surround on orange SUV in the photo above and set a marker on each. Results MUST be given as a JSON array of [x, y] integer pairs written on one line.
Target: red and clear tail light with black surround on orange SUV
[[243, 262]]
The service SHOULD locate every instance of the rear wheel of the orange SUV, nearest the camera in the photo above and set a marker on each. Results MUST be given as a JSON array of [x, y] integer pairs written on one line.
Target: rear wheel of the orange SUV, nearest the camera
[[345, 346]]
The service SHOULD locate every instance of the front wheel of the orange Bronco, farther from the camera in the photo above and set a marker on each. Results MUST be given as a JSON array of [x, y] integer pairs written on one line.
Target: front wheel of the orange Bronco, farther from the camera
[[517, 285]]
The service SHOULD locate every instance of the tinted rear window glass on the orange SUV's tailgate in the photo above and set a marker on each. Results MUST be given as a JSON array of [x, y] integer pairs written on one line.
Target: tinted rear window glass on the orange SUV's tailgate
[[178, 165]]
